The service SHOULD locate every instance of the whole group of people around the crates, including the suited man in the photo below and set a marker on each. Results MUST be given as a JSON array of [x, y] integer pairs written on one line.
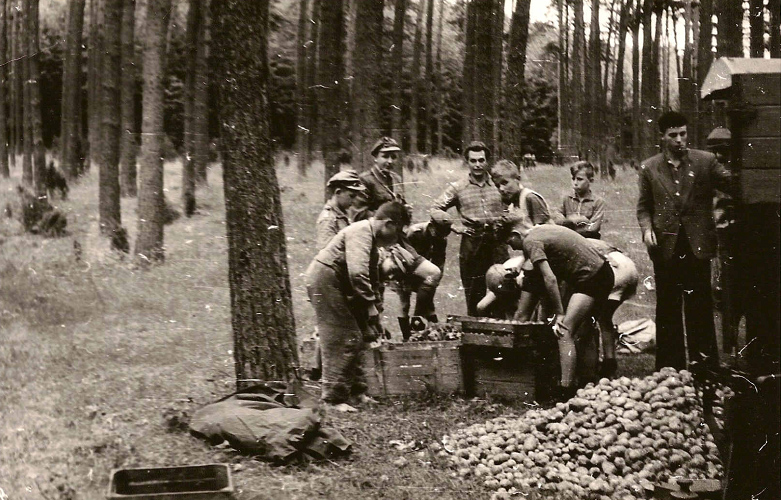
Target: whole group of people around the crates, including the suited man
[[565, 275]]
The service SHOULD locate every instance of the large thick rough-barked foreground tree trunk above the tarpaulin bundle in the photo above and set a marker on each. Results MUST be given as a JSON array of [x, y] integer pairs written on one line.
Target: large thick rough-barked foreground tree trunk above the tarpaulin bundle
[[261, 305]]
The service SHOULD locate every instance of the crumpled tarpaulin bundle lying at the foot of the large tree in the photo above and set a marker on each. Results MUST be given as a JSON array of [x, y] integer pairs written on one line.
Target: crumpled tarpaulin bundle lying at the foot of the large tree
[[270, 420]]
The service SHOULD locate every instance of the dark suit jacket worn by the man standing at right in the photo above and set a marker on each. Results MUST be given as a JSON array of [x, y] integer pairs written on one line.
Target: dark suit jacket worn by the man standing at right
[[666, 207]]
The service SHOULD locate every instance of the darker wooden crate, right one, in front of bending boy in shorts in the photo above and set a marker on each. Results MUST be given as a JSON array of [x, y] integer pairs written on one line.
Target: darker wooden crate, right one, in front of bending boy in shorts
[[522, 366]]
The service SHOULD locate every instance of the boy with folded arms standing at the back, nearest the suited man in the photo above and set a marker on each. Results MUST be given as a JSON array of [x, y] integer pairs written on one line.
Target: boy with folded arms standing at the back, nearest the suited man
[[585, 209]]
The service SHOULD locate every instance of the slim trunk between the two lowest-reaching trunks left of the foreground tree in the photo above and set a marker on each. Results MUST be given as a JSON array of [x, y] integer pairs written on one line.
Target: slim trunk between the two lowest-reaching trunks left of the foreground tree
[[128, 145]]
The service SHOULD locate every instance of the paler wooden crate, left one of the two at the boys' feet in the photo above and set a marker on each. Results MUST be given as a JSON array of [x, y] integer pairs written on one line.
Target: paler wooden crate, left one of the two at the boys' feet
[[394, 369]]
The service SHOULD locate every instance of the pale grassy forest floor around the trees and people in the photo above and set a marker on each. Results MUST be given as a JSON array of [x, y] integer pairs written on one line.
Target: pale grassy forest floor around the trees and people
[[94, 351]]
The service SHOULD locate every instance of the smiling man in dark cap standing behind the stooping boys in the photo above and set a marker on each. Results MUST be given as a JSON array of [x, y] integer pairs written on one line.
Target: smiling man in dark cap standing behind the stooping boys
[[382, 184]]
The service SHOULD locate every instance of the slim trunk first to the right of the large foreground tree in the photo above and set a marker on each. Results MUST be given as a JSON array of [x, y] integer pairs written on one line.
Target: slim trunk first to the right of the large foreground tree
[[302, 127]]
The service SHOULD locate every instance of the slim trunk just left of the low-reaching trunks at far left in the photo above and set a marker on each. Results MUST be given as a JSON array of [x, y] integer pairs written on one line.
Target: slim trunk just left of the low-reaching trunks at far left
[[95, 70]]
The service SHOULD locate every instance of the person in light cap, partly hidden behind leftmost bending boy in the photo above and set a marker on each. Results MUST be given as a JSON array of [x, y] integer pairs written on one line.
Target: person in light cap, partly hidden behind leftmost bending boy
[[344, 187]]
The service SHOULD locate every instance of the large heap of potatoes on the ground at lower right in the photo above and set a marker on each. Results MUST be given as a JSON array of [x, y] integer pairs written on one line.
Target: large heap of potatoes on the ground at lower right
[[604, 443]]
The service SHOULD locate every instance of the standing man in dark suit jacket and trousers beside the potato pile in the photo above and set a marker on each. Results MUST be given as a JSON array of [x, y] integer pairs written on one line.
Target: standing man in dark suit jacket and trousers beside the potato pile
[[675, 212]]
